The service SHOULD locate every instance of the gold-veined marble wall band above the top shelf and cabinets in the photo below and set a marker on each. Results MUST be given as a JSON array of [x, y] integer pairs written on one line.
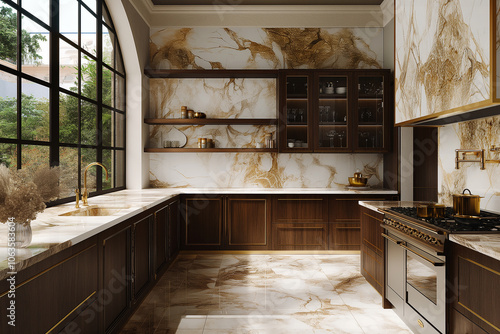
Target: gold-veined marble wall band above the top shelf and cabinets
[[265, 48]]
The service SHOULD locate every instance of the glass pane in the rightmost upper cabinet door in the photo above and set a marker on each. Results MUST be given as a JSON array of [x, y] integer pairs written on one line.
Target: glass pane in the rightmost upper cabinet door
[[370, 113]]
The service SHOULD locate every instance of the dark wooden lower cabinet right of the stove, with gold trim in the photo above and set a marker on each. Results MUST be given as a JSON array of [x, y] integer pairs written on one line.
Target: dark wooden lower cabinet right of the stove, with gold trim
[[472, 291]]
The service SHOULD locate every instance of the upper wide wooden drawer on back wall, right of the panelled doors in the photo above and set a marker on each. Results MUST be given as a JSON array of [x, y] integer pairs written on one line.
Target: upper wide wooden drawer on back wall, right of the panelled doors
[[306, 209]]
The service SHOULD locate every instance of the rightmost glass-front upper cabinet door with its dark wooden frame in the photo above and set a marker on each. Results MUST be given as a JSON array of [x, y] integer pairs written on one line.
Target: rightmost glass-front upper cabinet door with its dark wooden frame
[[370, 106]]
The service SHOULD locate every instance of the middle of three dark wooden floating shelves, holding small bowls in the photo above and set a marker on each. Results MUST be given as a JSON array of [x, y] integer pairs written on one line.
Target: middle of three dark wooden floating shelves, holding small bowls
[[211, 121]]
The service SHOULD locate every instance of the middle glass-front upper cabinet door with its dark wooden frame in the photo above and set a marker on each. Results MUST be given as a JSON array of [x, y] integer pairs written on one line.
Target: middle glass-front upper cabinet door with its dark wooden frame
[[331, 111]]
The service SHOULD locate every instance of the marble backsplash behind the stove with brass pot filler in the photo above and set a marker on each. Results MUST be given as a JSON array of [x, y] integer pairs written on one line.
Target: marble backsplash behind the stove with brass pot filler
[[477, 134]]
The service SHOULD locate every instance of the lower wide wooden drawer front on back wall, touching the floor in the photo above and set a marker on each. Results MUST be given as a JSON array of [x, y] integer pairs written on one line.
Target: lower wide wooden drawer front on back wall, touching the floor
[[300, 236]]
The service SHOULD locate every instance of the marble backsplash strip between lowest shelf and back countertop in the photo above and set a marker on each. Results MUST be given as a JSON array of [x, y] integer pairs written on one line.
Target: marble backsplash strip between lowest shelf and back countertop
[[262, 170]]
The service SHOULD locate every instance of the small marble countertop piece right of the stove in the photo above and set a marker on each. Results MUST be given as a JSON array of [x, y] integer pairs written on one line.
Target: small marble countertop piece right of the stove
[[487, 244]]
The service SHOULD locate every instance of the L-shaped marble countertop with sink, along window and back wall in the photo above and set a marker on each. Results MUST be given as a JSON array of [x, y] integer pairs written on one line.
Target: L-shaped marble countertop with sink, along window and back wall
[[53, 233]]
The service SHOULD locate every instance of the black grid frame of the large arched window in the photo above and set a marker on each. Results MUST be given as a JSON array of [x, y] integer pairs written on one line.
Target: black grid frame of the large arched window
[[117, 69]]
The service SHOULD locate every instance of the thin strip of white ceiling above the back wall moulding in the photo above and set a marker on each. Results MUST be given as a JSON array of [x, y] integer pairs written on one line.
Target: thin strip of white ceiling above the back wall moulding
[[269, 2]]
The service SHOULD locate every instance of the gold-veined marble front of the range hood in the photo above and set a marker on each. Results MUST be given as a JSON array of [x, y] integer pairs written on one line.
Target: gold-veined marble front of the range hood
[[442, 55]]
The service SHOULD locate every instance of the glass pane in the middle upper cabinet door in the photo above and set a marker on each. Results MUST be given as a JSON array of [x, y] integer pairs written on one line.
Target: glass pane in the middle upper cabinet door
[[332, 112]]
